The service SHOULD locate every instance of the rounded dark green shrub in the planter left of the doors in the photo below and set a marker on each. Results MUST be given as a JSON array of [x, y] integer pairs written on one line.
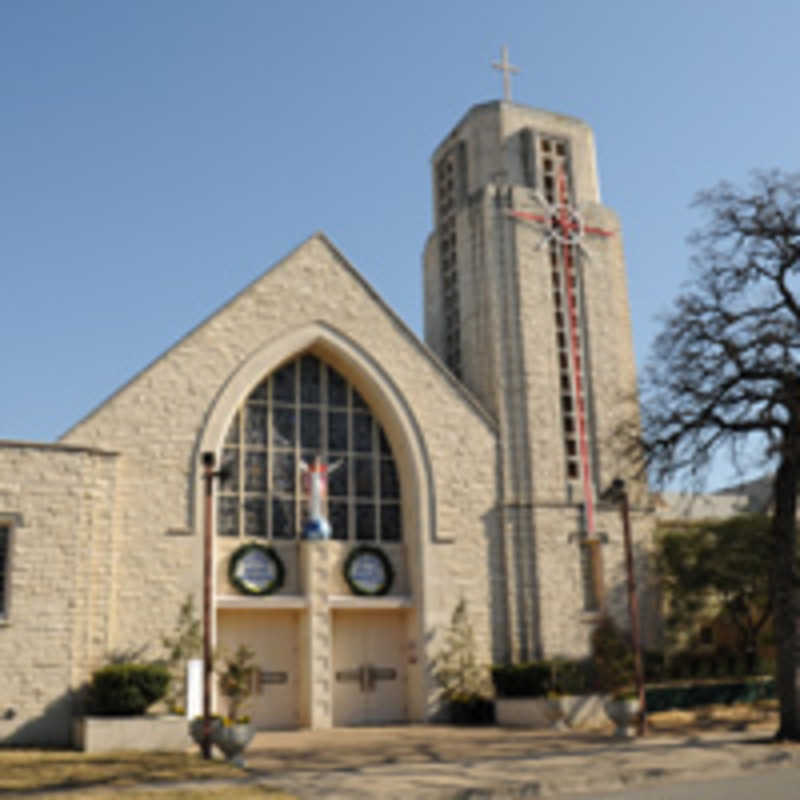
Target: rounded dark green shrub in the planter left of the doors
[[126, 689]]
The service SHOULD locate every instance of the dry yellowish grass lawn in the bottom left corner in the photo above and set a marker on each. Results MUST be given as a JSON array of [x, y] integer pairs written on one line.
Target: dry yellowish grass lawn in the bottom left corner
[[107, 775]]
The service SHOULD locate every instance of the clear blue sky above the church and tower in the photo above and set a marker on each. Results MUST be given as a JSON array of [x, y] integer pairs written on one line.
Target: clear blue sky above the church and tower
[[156, 156]]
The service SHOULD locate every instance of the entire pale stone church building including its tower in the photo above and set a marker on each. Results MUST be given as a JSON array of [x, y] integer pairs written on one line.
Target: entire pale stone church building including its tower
[[369, 480]]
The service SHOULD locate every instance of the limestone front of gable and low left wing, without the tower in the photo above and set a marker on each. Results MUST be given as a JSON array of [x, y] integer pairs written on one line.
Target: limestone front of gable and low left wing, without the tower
[[138, 514]]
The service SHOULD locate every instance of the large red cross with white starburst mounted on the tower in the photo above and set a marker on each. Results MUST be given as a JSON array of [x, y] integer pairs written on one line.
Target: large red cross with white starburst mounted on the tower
[[564, 223]]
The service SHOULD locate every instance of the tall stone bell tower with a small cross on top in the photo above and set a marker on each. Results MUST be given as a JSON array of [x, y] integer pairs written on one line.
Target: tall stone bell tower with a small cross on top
[[526, 302]]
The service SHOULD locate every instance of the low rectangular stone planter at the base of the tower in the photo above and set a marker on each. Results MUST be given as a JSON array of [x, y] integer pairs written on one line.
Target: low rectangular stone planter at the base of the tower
[[570, 711]]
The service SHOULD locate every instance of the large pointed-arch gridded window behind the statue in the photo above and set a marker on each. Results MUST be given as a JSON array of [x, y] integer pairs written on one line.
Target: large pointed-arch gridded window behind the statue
[[304, 409]]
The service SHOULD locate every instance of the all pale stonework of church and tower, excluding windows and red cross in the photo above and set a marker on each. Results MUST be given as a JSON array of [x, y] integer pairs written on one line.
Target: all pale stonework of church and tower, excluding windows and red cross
[[106, 525]]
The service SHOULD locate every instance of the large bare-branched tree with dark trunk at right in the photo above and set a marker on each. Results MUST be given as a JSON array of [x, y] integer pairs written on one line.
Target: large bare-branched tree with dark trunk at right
[[724, 373]]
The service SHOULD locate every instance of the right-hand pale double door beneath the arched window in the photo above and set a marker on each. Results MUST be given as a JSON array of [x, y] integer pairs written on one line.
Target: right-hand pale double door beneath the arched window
[[370, 683]]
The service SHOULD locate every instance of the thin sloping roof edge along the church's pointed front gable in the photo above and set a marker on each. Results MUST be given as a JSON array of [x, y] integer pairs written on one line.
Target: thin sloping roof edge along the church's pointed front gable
[[322, 237]]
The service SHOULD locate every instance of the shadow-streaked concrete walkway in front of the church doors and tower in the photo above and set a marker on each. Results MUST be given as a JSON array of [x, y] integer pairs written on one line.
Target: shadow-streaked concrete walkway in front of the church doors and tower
[[433, 761]]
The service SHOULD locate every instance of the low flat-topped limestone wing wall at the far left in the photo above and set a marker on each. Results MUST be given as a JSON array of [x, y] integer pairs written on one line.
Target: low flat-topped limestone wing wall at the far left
[[59, 621]]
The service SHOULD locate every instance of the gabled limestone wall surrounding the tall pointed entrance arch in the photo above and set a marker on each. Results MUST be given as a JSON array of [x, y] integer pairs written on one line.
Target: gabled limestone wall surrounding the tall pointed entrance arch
[[158, 419]]
